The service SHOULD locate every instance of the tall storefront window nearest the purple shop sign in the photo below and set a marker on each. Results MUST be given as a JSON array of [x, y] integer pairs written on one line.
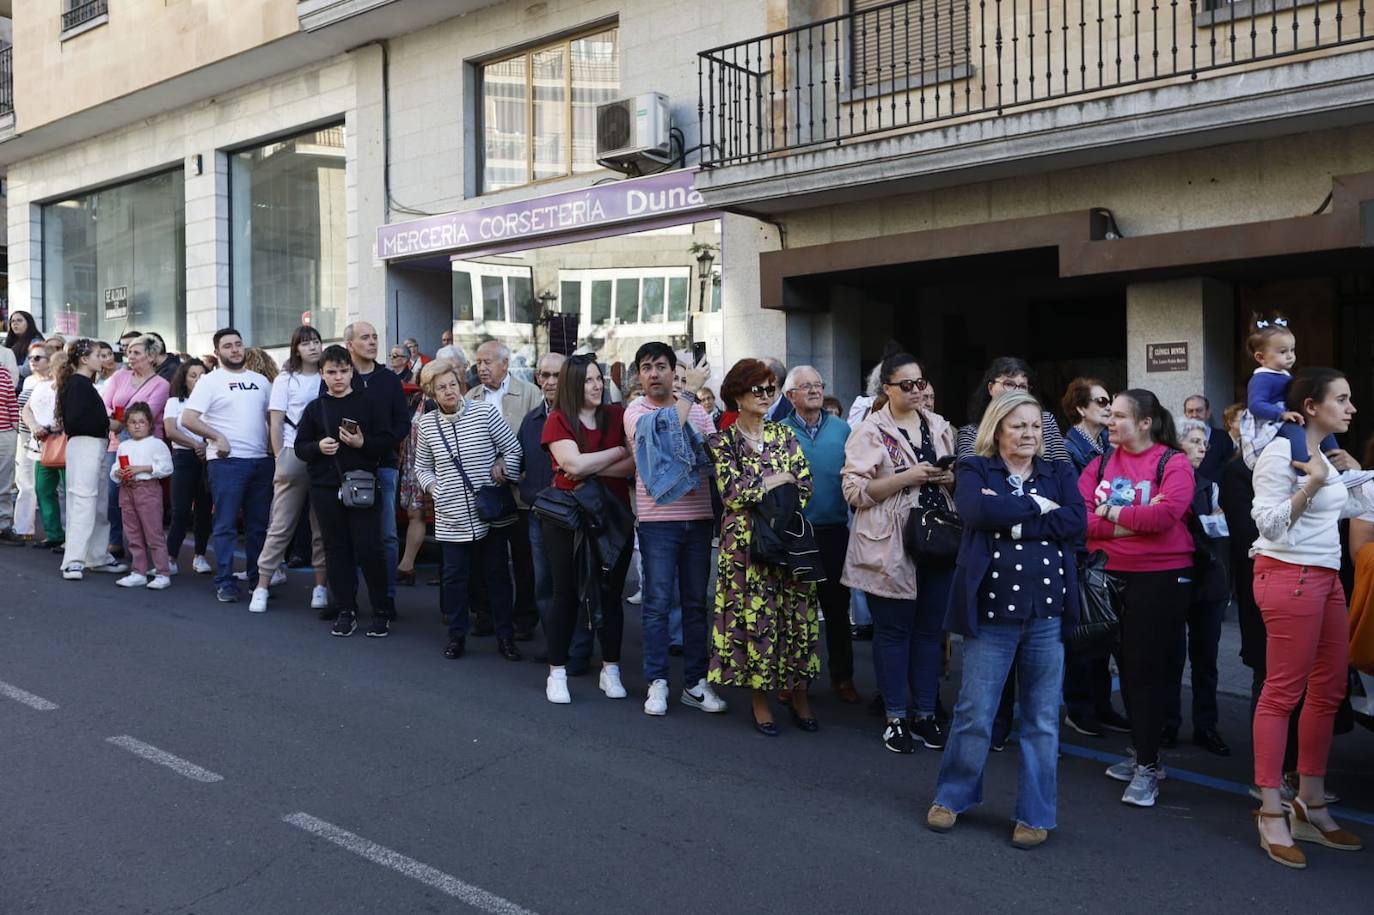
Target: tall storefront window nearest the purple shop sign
[[289, 225]]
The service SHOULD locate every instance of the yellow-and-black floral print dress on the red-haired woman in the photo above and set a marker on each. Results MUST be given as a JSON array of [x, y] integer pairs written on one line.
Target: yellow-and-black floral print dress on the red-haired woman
[[765, 629]]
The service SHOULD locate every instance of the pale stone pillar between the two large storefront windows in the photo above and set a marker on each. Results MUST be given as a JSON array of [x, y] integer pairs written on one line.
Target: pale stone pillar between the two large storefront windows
[[208, 255]]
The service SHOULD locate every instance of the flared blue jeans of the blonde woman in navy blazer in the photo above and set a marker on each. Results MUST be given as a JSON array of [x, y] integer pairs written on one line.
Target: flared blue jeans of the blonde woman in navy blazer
[[987, 662]]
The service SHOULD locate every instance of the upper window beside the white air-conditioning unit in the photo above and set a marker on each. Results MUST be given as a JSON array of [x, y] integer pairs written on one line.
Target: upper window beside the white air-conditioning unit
[[539, 111]]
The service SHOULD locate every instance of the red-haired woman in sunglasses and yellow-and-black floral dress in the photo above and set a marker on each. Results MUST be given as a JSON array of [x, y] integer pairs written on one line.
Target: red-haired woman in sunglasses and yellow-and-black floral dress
[[765, 629]]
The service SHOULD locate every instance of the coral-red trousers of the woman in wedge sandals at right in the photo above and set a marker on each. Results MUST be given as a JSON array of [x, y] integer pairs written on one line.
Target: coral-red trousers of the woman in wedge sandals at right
[[1307, 649]]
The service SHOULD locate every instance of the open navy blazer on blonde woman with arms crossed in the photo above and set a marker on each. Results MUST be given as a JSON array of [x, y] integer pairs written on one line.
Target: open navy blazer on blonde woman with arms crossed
[[984, 516]]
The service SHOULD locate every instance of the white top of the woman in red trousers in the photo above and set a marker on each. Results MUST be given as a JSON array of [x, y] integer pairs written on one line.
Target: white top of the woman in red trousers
[[1314, 539]]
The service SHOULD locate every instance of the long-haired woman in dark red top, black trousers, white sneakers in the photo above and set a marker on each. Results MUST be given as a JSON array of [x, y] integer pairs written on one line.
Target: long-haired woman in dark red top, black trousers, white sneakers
[[585, 439]]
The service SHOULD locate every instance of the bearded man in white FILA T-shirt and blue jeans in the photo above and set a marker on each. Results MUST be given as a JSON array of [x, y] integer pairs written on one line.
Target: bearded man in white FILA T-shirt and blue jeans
[[229, 410]]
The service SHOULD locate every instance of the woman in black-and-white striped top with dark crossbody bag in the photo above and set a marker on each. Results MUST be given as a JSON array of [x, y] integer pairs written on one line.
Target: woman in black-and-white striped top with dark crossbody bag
[[457, 450]]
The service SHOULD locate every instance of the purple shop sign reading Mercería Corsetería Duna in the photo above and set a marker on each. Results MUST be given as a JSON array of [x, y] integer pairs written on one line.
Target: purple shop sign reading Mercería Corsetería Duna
[[620, 203]]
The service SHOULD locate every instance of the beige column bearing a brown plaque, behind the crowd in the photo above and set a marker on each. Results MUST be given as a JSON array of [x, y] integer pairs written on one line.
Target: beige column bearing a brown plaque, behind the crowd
[[1197, 313]]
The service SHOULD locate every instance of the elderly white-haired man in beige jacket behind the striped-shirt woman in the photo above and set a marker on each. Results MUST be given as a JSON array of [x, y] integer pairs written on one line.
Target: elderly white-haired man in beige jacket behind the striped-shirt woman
[[516, 399]]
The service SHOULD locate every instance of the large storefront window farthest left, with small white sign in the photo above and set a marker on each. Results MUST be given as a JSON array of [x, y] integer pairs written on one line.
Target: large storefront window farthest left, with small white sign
[[115, 260]]
